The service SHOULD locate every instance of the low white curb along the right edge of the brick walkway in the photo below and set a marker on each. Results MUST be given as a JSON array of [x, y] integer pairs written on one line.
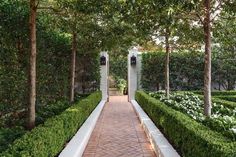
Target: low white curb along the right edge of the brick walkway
[[160, 144]]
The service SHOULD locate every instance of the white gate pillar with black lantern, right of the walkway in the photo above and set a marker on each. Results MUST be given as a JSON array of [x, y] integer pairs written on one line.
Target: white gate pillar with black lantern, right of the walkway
[[132, 74]]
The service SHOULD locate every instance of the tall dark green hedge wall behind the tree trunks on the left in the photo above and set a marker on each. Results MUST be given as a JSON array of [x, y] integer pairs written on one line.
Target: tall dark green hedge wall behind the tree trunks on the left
[[53, 59]]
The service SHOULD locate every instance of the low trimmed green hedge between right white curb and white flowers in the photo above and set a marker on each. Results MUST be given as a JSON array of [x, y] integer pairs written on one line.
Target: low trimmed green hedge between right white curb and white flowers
[[189, 137]]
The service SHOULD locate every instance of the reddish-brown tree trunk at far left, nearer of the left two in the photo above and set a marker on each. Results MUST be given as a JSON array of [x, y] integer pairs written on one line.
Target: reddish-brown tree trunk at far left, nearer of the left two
[[32, 68]]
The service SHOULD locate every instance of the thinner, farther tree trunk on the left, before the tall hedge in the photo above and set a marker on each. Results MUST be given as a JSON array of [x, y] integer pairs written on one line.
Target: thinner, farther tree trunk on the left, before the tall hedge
[[73, 61]]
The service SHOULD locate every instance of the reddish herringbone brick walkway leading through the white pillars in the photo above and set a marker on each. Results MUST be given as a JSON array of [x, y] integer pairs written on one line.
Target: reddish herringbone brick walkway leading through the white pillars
[[118, 133]]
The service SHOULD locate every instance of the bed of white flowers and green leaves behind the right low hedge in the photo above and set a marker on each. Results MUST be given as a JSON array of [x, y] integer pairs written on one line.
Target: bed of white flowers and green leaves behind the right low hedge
[[223, 119]]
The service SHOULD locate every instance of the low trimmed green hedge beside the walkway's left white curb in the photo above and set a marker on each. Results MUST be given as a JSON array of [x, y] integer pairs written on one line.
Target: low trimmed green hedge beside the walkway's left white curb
[[48, 139]]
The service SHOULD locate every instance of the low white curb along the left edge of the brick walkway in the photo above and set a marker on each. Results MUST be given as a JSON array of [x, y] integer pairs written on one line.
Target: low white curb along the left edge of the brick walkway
[[78, 143]]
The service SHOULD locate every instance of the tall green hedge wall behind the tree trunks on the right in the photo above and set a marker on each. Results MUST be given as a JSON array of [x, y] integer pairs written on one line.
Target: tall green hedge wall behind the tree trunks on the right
[[186, 71]]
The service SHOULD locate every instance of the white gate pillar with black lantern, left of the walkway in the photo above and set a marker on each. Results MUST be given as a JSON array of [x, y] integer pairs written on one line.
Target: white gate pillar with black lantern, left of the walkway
[[104, 71]]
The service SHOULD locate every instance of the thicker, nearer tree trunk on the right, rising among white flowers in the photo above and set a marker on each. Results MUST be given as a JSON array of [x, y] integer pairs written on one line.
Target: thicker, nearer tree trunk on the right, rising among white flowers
[[207, 66]]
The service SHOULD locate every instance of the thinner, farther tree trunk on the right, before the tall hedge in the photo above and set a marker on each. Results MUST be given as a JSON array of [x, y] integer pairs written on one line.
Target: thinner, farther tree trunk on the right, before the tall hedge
[[167, 71]]
